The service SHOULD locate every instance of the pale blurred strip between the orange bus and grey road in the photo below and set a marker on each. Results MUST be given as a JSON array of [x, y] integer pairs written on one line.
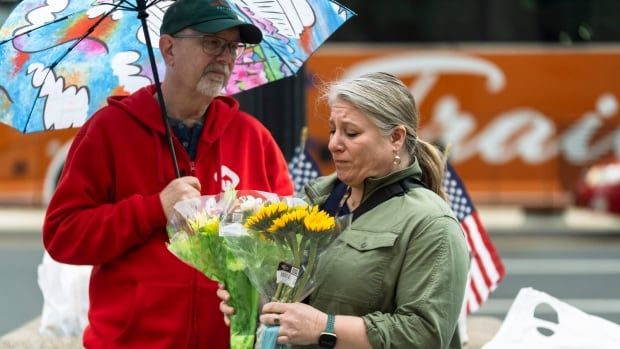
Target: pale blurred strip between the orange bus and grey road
[[496, 219]]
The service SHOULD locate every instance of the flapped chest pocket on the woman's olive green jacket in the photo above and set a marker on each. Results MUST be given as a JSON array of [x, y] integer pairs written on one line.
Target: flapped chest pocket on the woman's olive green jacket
[[356, 273]]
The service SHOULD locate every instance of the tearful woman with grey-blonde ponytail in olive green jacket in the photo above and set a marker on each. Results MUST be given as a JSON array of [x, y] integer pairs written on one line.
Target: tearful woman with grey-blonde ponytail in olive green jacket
[[396, 278]]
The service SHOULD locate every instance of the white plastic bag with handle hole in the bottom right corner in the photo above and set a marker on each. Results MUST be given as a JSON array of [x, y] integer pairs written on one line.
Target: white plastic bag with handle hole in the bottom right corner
[[575, 329]]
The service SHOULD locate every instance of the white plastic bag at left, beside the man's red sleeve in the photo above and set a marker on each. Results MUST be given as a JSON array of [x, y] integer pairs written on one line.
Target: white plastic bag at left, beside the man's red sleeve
[[65, 297]]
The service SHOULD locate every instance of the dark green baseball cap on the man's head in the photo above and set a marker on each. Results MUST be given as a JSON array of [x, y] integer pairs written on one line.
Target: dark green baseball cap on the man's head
[[206, 16]]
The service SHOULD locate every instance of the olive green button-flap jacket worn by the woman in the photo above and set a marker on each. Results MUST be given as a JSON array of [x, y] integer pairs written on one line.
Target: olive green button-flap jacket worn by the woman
[[402, 267]]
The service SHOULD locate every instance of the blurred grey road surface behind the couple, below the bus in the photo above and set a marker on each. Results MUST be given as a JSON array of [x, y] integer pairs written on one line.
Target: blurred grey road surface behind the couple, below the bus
[[580, 268]]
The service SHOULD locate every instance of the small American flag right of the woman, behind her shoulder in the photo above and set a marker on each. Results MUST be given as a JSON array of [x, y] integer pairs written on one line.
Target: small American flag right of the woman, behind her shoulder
[[486, 270]]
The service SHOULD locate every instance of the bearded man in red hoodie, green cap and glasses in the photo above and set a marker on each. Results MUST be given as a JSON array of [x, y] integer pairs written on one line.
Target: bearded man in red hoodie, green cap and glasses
[[118, 187]]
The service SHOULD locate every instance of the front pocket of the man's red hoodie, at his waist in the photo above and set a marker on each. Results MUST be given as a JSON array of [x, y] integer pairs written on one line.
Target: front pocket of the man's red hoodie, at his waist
[[159, 317]]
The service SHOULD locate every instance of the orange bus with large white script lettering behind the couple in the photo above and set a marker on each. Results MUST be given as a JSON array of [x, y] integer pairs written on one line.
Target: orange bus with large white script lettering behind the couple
[[522, 122]]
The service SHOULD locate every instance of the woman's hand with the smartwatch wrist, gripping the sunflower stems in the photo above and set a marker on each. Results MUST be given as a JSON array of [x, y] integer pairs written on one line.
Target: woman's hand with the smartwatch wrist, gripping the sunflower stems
[[299, 323]]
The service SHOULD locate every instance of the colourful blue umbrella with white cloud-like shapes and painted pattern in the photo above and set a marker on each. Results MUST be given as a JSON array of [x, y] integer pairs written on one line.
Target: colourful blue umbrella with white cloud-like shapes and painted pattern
[[61, 59]]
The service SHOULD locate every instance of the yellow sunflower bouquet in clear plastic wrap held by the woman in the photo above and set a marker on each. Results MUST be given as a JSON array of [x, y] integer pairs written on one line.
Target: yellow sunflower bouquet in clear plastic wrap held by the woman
[[281, 245]]
